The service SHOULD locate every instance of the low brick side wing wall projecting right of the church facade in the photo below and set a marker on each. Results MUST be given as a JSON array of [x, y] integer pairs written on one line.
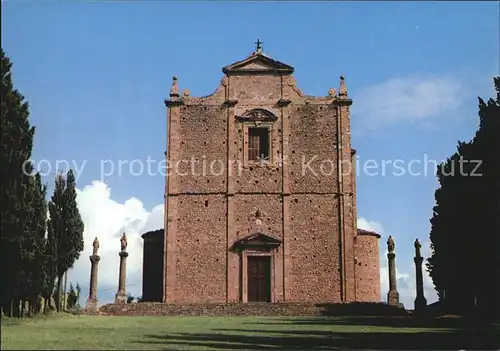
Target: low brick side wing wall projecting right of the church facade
[[367, 268]]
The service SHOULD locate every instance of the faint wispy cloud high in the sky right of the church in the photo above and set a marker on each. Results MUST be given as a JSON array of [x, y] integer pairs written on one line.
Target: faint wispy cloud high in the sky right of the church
[[412, 99]]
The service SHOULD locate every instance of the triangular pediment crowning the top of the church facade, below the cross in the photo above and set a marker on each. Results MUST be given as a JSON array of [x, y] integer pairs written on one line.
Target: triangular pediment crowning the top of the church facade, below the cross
[[258, 64]]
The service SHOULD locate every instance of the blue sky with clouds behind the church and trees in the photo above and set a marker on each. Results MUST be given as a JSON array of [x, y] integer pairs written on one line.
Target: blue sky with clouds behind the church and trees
[[96, 75]]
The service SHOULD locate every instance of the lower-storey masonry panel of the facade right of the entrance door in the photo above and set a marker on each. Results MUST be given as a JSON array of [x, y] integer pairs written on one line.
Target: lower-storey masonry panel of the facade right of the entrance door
[[314, 249]]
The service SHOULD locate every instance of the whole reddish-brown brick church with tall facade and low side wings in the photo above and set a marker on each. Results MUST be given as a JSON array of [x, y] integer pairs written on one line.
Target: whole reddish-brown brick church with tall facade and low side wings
[[260, 195]]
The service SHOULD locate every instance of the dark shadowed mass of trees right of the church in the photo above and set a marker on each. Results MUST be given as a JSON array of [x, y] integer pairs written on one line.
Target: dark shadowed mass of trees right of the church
[[465, 226]]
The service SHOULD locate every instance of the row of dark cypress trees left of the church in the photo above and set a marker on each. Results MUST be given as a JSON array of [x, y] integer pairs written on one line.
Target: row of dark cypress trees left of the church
[[40, 240]]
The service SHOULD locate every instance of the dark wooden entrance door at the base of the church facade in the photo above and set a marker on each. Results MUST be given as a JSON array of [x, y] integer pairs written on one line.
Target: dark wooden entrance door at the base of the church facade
[[259, 279]]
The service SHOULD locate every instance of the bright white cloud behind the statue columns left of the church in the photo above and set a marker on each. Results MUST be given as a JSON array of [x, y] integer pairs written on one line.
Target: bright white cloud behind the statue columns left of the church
[[107, 219]]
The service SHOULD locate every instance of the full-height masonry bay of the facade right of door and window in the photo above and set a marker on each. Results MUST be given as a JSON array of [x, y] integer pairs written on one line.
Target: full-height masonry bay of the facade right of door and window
[[314, 227]]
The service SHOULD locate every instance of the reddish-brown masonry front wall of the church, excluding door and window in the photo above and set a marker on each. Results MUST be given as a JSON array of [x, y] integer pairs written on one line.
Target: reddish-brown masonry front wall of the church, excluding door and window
[[208, 208]]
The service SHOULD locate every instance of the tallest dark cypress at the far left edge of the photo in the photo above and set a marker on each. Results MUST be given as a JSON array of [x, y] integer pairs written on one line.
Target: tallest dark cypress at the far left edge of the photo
[[16, 148]]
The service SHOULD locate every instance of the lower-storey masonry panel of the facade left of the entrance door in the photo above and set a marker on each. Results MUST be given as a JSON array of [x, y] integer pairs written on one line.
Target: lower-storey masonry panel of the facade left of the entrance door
[[201, 248]]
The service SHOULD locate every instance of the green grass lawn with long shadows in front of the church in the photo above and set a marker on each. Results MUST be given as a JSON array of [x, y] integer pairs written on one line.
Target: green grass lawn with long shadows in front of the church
[[237, 333]]
